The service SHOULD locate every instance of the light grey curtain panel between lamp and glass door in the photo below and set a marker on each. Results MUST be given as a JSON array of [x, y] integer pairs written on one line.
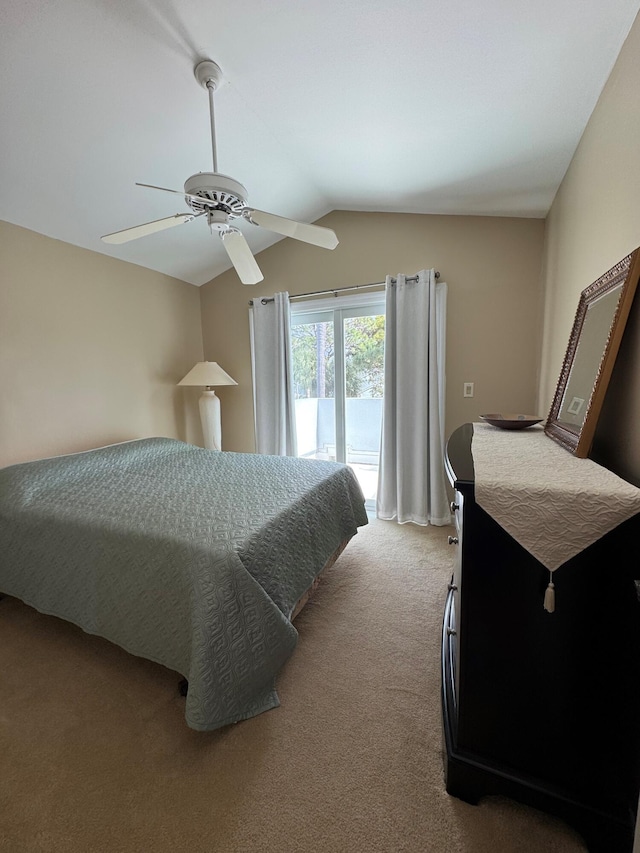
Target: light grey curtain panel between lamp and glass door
[[272, 376]]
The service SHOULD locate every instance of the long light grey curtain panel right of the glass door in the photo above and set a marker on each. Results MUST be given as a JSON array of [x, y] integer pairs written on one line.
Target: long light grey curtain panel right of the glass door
[[411, 485]]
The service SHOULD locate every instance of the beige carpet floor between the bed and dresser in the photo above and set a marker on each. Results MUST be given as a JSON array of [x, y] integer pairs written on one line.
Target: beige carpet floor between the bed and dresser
[[95, 754]]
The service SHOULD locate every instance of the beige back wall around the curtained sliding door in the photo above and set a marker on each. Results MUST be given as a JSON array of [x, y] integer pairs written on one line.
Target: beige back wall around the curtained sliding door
[[492, 267]]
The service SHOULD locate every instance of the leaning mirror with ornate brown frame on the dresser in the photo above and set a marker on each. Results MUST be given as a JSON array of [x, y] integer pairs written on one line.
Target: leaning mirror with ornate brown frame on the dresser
[[602, 312]]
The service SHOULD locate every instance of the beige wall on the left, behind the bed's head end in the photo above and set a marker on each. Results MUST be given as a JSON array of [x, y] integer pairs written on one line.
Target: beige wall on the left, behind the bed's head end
[[91, 349]]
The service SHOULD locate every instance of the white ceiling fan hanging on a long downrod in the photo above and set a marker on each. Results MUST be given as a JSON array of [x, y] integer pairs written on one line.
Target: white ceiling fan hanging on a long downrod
[[222, 199]]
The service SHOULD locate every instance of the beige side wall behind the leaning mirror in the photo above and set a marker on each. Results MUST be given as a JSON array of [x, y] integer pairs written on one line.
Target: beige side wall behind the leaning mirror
[[594, 222]]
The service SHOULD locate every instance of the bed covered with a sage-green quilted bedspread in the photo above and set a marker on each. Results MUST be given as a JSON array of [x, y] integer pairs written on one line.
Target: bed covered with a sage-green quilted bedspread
[[192, 558]]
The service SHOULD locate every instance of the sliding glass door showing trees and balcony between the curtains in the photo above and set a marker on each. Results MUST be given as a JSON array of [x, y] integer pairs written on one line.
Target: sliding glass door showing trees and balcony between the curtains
[[338, 374]]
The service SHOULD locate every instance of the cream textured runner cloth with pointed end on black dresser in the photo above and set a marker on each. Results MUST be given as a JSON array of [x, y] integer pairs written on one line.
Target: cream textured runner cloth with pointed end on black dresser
[[552, 503]]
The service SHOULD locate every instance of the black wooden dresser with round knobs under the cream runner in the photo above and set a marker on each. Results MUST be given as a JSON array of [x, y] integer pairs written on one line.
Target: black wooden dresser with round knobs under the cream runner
[[542, 707]]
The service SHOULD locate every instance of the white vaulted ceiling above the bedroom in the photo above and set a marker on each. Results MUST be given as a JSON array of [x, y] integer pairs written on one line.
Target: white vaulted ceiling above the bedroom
[[420, 106]]
